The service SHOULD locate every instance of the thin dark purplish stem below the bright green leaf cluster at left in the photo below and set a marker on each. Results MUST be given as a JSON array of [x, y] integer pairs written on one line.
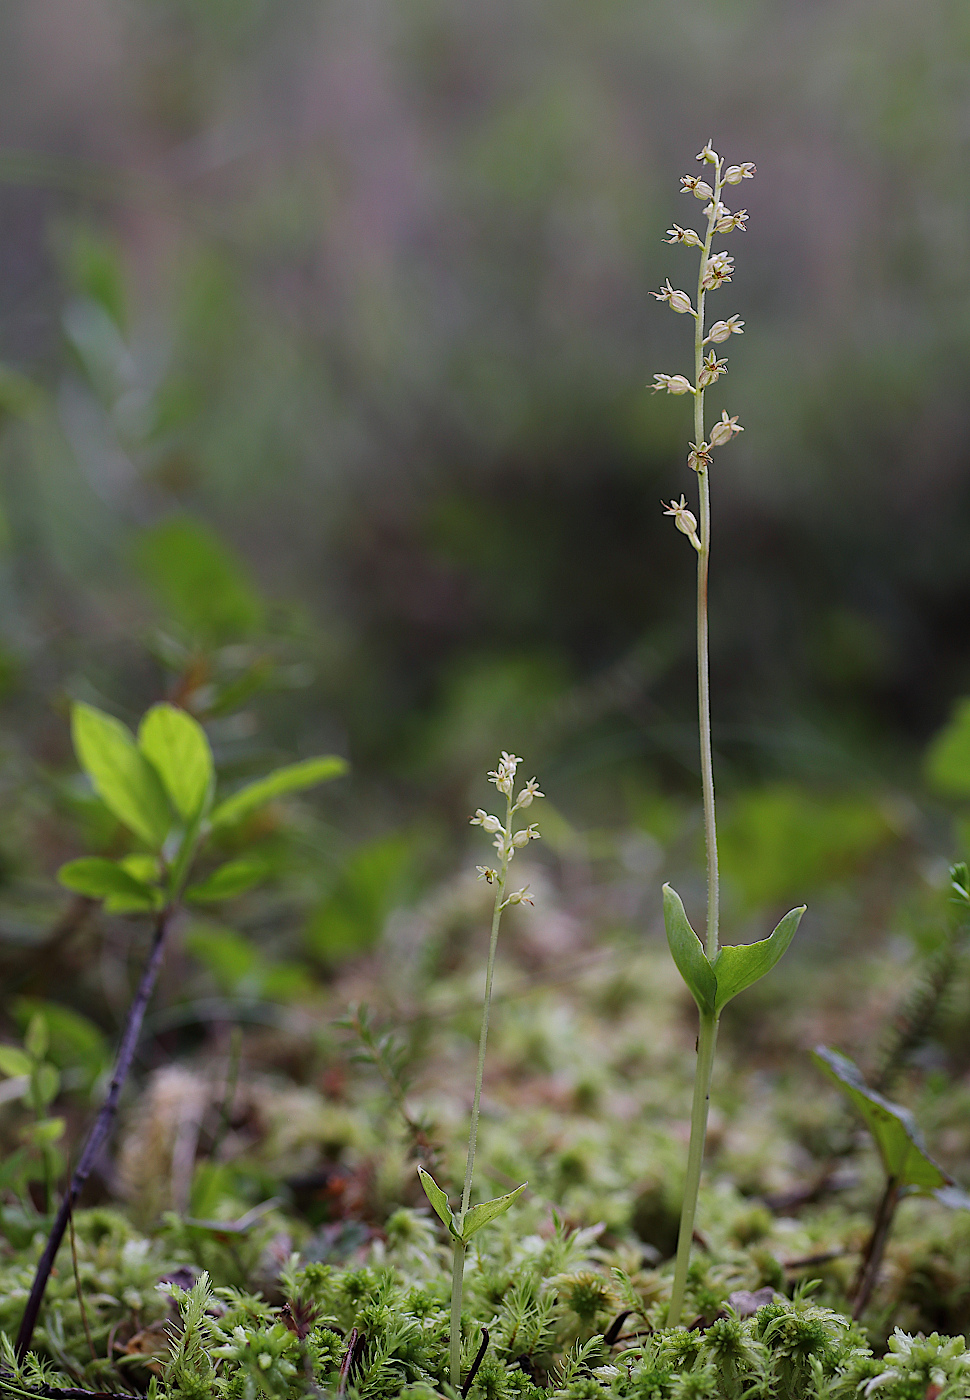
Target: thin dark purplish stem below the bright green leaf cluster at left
[[100, 1132]]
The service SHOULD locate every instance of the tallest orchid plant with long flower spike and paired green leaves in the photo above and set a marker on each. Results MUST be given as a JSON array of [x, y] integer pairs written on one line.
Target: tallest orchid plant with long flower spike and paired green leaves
[[715, 975]]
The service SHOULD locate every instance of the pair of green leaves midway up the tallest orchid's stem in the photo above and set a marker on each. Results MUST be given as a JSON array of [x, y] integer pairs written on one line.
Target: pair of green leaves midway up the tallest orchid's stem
[[734, 969]]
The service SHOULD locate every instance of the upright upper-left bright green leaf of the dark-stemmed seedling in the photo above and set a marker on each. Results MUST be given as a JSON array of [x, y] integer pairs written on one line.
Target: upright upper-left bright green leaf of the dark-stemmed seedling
[[121, 775]]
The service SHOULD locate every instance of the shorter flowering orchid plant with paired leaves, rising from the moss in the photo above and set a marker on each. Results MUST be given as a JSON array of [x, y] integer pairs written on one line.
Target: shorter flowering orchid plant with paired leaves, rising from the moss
[[468, 1220]]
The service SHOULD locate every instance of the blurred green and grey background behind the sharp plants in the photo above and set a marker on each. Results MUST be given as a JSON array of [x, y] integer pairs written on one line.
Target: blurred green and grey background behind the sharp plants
[[327, 331]]
